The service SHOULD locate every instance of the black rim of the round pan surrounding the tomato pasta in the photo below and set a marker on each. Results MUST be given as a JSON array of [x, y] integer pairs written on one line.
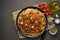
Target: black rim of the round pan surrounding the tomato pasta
[[33, 7]]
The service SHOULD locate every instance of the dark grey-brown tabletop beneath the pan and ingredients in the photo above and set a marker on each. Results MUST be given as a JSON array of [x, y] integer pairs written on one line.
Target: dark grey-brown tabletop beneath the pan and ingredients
[[7, 28]]
